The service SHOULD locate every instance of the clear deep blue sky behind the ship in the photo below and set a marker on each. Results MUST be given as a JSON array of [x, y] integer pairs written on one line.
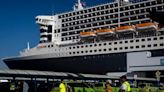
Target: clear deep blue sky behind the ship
[[17, 22]]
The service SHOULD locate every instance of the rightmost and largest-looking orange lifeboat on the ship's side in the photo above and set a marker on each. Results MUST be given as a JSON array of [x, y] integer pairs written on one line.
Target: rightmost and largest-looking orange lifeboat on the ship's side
[[146, 26]]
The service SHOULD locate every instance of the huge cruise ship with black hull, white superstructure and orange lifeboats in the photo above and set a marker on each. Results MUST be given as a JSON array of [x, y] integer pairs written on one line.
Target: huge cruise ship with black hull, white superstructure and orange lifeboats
[[118, 36]]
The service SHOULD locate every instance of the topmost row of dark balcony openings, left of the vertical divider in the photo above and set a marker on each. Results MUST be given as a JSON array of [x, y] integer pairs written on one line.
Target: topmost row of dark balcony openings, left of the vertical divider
[[88, 10]]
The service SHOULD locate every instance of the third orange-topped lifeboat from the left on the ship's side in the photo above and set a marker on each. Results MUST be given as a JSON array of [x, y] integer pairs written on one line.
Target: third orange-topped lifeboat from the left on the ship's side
[[125, 29]]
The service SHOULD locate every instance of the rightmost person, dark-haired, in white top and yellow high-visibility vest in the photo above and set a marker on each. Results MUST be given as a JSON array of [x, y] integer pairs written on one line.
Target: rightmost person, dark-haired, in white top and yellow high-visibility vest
[[125, 86]]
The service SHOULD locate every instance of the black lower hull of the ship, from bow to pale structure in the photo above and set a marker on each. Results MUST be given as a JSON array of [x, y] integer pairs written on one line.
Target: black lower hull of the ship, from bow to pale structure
[[95, 64]]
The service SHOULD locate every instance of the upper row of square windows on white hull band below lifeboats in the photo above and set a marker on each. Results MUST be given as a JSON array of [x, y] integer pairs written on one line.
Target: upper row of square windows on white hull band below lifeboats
[[115, 43]]
